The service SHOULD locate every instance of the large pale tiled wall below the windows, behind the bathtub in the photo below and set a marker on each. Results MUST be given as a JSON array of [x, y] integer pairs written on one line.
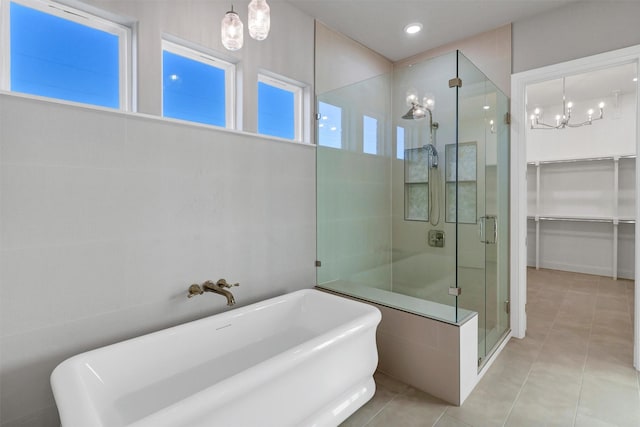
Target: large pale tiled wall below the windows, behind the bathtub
[[106, 218]]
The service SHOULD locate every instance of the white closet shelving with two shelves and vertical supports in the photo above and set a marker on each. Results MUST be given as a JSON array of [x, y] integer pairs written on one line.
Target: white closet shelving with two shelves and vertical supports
[[614, 205]]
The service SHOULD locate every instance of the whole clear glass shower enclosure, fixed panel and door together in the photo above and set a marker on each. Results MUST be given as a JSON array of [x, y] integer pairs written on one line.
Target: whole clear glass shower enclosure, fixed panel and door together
[[412, 194]]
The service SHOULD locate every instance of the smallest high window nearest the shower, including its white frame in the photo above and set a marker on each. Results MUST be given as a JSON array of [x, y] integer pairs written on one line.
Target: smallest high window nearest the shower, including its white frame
[[279, 108]]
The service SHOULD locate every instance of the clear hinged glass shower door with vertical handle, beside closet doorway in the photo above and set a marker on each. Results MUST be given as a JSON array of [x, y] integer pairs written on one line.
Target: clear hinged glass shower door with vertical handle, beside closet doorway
[[482, 204]]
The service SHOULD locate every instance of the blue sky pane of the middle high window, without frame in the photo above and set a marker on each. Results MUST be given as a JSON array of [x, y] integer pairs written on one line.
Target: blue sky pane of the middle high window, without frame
[[192, 90]]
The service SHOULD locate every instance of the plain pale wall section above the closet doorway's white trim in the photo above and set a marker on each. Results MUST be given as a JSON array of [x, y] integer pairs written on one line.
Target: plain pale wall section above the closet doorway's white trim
[[574, 31]]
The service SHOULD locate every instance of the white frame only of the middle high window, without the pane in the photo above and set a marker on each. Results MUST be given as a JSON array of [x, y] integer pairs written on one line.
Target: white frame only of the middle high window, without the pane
[[207, 57]]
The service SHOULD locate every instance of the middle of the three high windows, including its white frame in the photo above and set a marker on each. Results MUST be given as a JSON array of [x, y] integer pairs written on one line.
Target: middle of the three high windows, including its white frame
[[197, 86]]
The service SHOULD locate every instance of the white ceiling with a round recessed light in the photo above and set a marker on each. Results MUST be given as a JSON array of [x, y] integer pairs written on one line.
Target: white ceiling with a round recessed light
[[379, 24]]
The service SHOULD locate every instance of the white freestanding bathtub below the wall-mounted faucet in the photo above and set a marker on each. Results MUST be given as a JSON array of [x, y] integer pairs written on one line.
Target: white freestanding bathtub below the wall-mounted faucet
[[302, 359]]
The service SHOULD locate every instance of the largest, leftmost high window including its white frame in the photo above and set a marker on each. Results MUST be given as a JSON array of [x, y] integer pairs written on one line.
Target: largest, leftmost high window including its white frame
[[59, 52]]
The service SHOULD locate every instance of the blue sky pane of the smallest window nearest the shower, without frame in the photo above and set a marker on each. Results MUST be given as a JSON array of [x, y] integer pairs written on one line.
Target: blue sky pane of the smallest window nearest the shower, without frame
[[276, 111]]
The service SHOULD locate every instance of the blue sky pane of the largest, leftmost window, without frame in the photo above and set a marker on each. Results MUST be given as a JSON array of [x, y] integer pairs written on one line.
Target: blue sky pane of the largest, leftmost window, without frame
[[58, 58]]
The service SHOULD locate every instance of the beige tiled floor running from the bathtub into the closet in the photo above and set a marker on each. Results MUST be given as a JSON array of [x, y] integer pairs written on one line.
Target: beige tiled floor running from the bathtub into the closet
[[574, 368]]
